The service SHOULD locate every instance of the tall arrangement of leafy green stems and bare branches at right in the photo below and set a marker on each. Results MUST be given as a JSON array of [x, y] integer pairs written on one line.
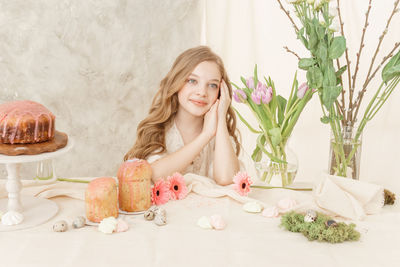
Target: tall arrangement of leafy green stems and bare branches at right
[[322, 34]]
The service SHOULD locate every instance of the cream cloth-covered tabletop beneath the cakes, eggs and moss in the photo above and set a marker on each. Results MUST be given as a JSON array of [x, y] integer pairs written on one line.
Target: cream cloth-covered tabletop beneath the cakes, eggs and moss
[[248, 240]]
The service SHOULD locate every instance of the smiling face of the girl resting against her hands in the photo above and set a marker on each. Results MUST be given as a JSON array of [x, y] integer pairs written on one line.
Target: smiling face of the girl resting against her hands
[[200, 90]]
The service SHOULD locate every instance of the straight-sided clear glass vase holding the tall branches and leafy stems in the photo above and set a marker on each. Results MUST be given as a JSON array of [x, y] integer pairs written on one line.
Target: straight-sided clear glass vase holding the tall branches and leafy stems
[[345, 153]]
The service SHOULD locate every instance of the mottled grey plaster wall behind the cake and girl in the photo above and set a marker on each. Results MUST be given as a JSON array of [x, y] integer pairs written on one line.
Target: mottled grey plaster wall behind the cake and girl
[[95, 65]]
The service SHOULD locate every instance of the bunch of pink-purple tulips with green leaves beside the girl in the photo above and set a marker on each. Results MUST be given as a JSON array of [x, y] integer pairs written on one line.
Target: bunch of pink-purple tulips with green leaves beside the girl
[[276, 118]]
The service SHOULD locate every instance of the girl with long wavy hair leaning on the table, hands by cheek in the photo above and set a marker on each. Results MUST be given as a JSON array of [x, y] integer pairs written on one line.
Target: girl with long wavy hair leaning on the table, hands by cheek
[[190, 125]]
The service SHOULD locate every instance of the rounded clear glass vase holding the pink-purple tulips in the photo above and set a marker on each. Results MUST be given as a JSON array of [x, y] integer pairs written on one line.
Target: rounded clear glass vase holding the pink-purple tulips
[[279, 174]]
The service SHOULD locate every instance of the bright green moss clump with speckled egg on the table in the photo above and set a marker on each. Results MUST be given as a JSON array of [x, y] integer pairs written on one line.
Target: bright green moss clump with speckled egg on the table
[[317, 230]]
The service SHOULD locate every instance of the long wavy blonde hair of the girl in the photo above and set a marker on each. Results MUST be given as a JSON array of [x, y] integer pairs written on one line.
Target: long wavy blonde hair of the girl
[[150, 135]]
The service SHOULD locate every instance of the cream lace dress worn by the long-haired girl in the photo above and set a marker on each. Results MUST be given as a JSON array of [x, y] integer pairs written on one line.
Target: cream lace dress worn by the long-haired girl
[[201, 165]]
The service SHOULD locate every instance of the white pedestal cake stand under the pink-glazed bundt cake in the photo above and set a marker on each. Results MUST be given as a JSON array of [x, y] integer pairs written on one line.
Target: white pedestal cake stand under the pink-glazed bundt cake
[[27, 211]]
